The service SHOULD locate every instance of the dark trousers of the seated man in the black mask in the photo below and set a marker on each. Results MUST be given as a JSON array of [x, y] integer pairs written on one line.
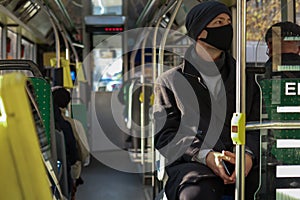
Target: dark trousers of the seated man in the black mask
[[189, 181]]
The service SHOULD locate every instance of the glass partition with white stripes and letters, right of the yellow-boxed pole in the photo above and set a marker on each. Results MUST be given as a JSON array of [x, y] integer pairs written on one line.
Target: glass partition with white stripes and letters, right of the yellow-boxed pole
[[280, 106]]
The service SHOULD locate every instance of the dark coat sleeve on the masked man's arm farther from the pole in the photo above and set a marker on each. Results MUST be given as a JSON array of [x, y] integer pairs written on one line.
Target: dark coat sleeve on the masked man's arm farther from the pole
[[174, 139]]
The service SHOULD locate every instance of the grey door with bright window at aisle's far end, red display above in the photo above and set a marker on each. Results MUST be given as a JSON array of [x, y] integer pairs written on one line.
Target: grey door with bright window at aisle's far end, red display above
[[106, 62]]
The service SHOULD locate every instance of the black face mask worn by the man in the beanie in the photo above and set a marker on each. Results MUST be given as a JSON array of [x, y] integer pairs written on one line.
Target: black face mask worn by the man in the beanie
[[219, 37]]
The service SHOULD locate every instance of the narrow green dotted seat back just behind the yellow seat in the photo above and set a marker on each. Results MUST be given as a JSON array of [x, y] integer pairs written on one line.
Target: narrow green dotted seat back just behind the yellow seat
[[43, 93]]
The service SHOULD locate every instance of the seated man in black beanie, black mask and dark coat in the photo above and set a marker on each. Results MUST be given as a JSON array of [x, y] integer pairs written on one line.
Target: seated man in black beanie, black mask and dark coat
[[194, 104]]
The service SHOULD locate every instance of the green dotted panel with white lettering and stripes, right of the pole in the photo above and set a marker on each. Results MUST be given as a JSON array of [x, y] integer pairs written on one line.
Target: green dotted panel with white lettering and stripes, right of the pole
[[274, 95]]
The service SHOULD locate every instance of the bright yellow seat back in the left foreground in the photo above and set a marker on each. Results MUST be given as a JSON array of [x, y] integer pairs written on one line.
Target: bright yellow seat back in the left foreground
[[21, 165]]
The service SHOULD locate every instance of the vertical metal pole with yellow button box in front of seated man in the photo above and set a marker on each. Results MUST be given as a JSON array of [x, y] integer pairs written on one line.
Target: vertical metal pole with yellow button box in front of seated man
[[240, 98]]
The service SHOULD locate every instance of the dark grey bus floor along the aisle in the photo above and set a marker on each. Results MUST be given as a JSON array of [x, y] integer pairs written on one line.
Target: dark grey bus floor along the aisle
[[102, 182]]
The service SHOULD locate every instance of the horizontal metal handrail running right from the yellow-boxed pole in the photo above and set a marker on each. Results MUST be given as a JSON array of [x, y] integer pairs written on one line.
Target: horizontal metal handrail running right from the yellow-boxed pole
[[272, 125]]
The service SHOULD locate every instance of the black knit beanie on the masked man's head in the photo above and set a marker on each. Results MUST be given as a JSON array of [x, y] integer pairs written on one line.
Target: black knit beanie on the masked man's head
[[201, 15]]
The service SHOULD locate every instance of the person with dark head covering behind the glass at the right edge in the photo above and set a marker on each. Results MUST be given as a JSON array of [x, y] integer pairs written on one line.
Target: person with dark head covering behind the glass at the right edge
[[285, 49]]
